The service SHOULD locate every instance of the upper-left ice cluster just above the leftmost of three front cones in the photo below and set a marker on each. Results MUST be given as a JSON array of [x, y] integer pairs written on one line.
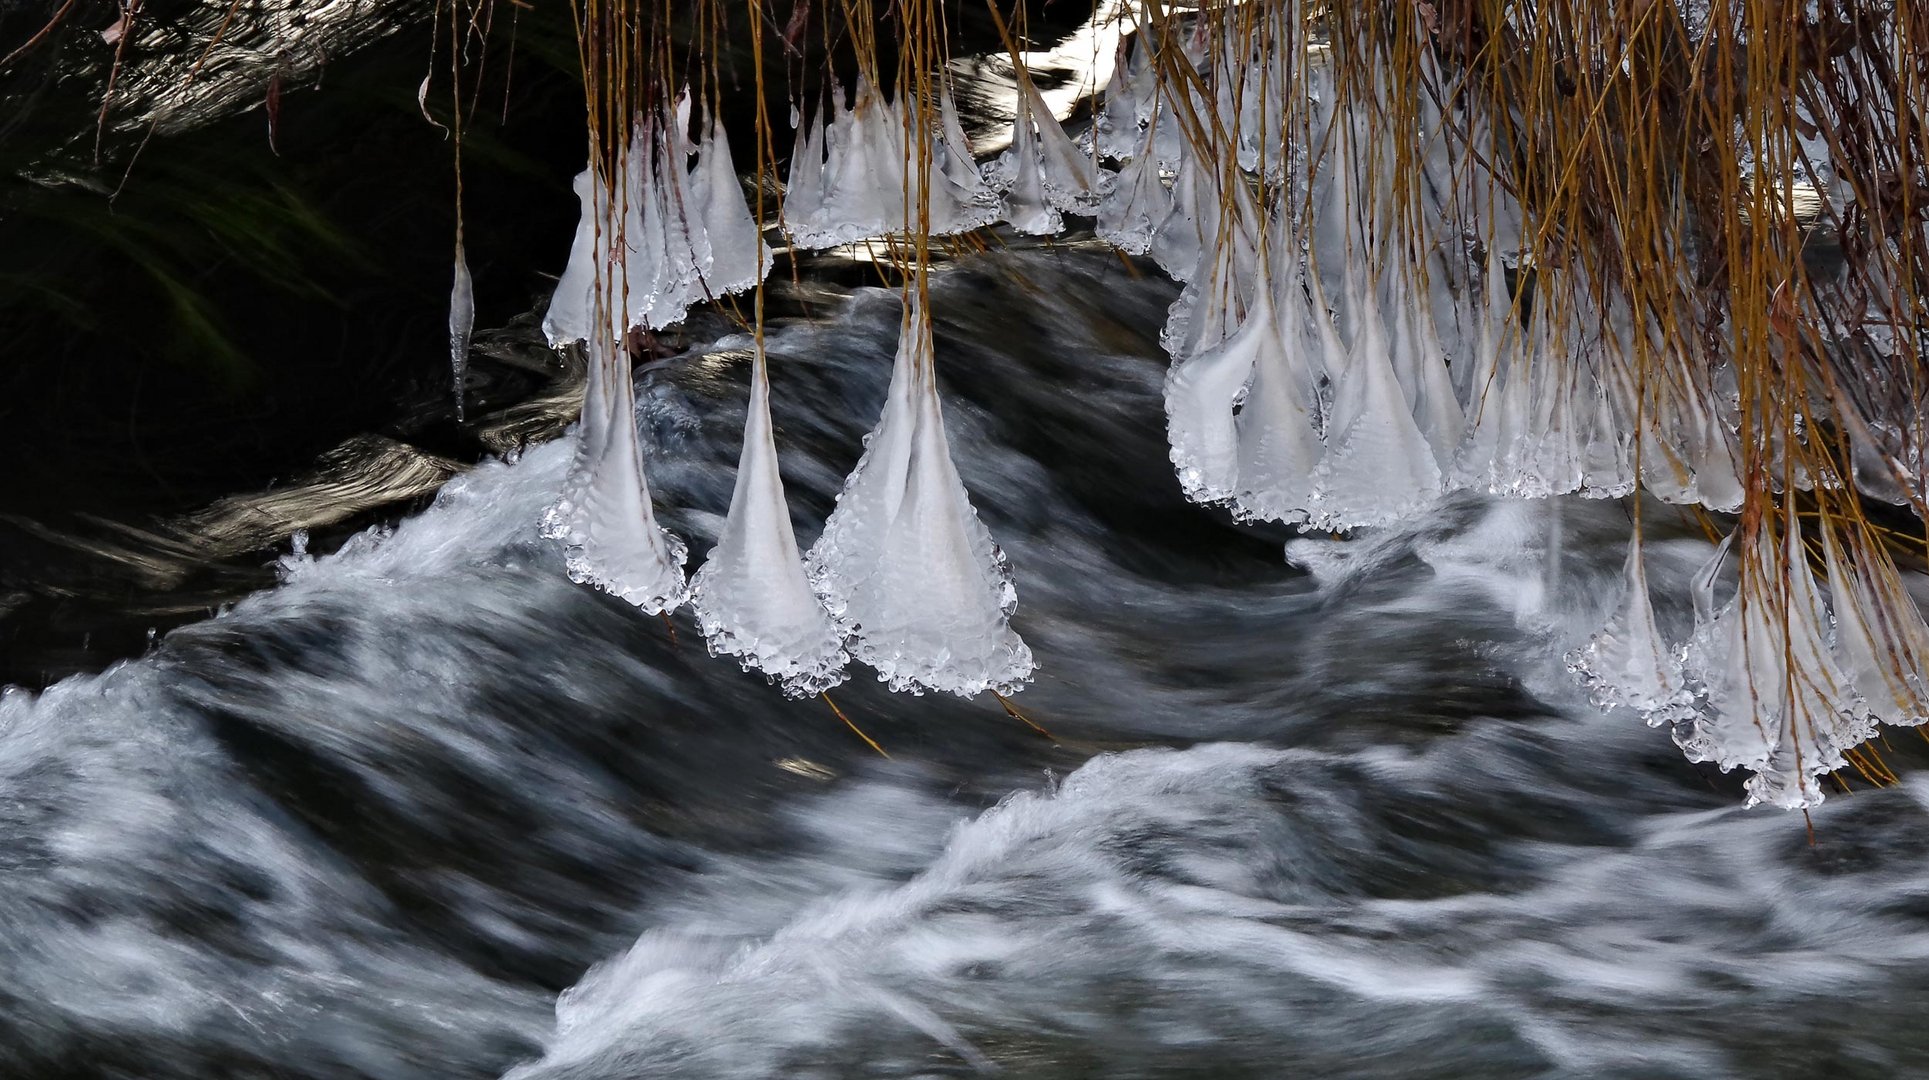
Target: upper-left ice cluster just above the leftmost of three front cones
[[684, 234]]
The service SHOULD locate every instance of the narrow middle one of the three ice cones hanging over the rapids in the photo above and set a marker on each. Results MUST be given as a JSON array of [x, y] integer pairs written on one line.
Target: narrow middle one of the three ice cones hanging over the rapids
[[753, 599]]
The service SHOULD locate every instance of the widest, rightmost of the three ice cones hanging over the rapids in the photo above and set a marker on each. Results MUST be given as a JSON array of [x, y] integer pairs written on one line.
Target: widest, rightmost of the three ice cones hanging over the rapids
[[908, 570]]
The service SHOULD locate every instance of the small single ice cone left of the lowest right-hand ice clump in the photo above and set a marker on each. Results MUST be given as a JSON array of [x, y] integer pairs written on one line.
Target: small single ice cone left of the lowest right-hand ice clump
[[1627, 662]]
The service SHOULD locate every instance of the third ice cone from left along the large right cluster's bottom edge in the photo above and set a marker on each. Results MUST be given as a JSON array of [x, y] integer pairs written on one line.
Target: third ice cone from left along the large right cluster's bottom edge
[[1378, 466]]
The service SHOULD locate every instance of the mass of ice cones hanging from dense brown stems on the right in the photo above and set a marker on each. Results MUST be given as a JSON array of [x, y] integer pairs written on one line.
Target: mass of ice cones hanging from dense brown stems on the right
[[1311, 391]]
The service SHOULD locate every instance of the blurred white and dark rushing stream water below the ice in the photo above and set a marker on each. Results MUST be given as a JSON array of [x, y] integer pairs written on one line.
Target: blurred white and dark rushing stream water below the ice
[[431, 811]]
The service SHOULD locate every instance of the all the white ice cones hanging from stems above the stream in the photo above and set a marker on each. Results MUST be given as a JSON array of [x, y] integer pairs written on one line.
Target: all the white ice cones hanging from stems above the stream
[[1322, 377]]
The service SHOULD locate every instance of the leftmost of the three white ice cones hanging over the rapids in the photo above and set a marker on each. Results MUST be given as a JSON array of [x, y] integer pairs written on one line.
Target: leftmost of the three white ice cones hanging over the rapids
[[605, 522]]
